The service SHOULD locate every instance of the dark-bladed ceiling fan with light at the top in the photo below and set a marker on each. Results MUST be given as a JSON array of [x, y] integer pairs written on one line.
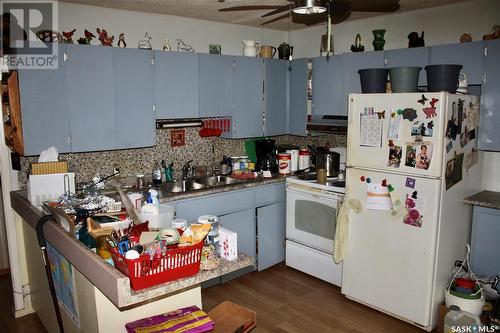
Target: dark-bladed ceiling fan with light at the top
[[310, 12]]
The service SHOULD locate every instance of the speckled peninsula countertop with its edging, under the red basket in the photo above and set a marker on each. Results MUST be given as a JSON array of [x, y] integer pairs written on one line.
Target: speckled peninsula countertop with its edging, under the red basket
[[109, 280]]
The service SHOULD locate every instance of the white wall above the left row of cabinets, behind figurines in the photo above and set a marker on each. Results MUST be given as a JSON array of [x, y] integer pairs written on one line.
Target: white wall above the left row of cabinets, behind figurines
[[198, 33]]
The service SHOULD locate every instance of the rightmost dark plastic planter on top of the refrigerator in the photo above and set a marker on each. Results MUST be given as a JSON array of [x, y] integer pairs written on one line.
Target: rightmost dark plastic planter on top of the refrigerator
[[443, 77]]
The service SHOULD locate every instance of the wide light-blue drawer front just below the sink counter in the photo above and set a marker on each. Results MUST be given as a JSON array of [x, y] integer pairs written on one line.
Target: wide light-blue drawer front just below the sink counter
[[216, 204]]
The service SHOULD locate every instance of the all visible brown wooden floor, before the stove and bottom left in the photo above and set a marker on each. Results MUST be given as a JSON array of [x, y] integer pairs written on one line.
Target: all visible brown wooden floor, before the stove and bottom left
[[285, 300]]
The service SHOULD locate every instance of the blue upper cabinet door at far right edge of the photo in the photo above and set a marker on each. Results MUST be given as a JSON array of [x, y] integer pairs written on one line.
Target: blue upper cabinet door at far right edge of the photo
[[489, 115]]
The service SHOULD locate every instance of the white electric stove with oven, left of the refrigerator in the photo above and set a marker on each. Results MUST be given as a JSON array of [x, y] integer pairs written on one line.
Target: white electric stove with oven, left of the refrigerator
[[311, 215]]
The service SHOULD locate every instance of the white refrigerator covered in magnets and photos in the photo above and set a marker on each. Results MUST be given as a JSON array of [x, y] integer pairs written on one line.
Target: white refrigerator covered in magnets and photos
[[411, 159]]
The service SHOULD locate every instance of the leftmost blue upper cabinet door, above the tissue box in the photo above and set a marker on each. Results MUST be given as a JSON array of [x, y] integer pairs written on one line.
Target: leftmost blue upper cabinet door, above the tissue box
[[45, 107]]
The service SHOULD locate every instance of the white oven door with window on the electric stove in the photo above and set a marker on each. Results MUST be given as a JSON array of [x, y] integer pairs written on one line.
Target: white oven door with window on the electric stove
[[311, 217]]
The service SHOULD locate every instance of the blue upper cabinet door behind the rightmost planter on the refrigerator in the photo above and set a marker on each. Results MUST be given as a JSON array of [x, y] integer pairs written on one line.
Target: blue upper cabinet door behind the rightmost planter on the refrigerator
[[469, 55]]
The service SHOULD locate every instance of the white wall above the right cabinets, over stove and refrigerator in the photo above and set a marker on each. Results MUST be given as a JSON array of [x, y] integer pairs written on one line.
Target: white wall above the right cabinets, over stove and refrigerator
[[442, 25]]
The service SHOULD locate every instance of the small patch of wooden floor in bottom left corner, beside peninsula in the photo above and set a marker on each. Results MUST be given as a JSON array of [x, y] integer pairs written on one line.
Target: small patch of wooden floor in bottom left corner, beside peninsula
[[8, 324]]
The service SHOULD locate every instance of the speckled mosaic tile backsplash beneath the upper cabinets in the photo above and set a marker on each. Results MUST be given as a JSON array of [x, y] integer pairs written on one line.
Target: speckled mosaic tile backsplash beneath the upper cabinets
[[203, 151]]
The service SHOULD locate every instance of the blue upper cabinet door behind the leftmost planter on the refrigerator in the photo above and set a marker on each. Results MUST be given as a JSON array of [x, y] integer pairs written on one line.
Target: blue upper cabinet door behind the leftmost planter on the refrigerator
[[351, 63]]
